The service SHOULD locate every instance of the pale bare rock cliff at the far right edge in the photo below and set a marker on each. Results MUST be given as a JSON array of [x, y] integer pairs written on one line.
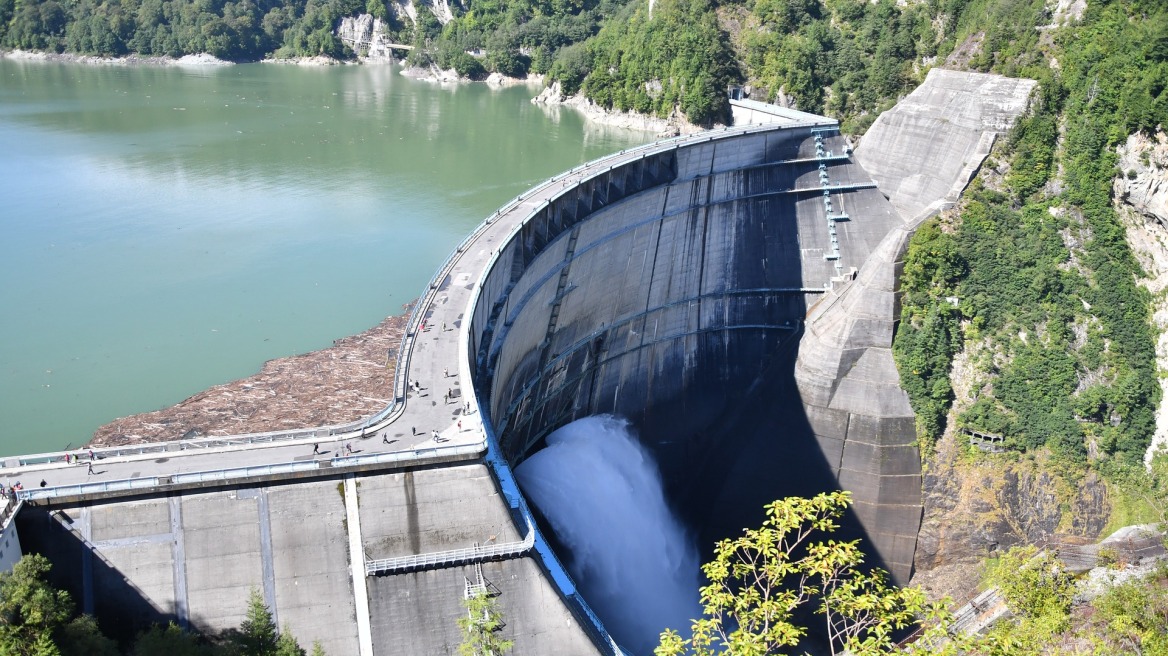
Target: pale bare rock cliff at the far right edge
[[1141, 193]]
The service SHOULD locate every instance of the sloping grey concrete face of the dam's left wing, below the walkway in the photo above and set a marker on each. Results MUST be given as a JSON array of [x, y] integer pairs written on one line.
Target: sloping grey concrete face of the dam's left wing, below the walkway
[[194, 557]]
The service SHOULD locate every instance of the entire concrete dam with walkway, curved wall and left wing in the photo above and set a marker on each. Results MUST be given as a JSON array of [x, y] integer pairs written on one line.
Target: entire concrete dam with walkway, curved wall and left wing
[[732, 294]]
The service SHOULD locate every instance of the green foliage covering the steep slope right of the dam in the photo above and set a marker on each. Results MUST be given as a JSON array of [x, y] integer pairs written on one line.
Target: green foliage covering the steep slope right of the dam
[[1047, 285]]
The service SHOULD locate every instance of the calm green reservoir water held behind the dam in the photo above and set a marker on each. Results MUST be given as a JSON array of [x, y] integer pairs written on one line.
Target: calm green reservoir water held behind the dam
[[165, 229]]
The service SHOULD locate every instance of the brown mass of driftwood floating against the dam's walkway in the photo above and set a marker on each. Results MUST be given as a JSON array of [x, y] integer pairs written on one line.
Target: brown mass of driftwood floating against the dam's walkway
[[351, 380]]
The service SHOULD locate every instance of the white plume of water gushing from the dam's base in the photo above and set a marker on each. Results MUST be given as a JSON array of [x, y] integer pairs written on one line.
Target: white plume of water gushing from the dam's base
[[630, 556]]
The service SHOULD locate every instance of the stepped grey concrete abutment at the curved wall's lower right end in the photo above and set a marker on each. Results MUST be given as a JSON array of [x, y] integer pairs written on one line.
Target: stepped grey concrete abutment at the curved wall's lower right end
[[852, 394]]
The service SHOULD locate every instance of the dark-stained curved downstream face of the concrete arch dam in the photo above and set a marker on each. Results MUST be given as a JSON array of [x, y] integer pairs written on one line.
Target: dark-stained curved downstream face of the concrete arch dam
[[673, 290]]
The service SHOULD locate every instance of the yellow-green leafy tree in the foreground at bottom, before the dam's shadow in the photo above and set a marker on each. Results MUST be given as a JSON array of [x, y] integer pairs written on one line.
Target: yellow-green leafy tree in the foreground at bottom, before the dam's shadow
[[762, 581]]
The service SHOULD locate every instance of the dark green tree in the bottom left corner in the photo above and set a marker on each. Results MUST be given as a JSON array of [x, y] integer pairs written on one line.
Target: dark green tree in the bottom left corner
[[31, 610]]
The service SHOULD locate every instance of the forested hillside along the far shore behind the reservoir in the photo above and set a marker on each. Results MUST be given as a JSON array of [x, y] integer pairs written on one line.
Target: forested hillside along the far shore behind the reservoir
[[850, 59]]
